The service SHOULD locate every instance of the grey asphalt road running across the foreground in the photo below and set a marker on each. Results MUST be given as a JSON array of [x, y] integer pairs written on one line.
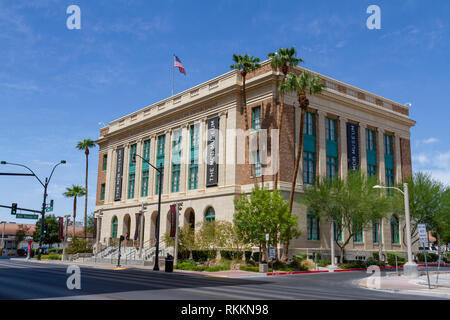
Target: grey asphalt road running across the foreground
[[31, 280]]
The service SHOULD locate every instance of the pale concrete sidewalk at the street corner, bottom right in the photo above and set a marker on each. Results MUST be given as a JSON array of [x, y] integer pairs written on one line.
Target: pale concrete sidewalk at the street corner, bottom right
[[418, 286]]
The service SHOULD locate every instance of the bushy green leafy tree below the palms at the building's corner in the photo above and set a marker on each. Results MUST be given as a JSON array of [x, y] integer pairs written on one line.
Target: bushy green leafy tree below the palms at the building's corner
[[264, 212]]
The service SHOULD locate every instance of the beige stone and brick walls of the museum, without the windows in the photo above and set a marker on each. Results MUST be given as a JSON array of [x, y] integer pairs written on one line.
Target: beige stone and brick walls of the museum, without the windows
[[222, 97]]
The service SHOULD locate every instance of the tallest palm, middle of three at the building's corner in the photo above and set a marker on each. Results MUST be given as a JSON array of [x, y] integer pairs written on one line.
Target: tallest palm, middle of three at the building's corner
[[282, 59]]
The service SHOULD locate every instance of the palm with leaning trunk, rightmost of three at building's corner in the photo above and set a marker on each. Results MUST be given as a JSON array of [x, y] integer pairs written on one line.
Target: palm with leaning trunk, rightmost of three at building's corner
[[300, 85]]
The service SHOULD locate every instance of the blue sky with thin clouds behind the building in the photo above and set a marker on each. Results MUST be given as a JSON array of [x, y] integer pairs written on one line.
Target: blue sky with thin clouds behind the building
[[56, 84]]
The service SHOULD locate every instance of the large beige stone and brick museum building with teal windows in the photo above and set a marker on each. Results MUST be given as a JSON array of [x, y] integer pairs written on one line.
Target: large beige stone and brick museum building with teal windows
[[345, 128]]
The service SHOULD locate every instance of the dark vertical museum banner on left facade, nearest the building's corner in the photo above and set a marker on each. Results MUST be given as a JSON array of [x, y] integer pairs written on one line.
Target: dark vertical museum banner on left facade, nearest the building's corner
[[212, 153]]
